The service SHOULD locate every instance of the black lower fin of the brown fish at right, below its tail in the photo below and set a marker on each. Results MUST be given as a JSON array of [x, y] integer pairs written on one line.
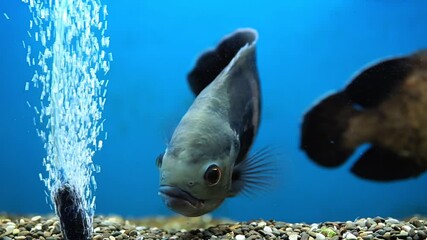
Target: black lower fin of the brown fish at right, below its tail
[[380, 164]]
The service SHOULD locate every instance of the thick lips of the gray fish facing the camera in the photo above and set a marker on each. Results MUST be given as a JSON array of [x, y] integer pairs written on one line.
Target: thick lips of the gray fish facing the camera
[[176, 196]]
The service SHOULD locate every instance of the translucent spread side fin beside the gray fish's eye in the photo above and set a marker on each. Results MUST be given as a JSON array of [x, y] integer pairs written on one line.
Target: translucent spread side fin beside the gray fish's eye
[[254, 173]]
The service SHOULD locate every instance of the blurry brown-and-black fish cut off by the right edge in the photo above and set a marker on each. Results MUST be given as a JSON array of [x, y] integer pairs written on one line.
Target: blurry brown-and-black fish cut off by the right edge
[[386, 106]]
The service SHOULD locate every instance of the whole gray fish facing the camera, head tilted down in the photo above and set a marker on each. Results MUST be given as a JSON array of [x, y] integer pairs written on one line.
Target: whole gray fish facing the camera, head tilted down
[[207, 159]]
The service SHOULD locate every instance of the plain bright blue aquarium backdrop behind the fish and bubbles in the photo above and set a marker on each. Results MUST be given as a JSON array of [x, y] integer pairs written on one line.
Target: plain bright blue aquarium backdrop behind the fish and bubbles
[[306, 50]]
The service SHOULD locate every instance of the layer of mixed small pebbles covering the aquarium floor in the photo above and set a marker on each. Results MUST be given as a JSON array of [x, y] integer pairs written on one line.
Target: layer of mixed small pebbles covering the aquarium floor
[[111, 228]]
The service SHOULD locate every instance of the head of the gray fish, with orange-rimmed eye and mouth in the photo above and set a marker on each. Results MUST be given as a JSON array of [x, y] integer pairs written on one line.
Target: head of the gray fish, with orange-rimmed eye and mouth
[[194, 182]]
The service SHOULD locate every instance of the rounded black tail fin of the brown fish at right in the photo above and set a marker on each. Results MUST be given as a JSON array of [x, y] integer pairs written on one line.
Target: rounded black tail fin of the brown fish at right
[[323, 128]]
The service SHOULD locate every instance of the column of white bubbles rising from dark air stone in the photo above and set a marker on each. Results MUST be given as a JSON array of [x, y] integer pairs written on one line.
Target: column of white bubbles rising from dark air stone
[[72, 50]]
